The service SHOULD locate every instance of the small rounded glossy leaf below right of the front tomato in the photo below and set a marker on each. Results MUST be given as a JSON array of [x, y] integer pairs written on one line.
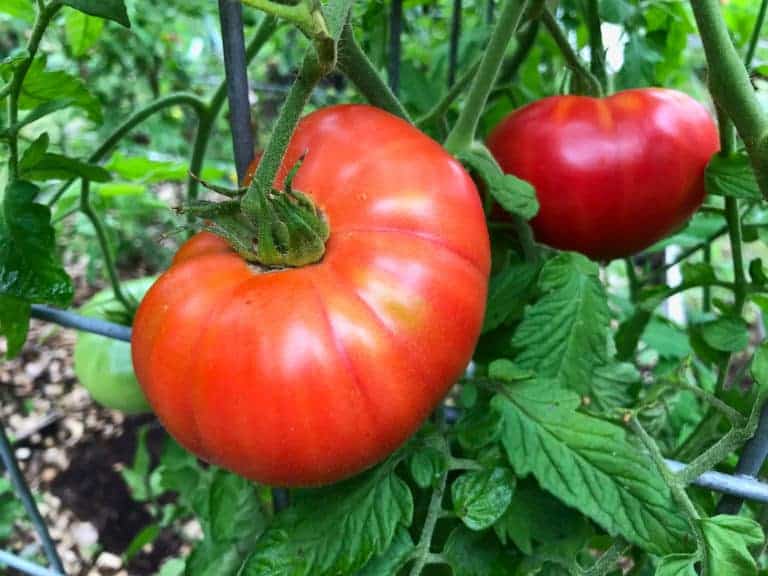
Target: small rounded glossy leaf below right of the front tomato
[[480, 497]]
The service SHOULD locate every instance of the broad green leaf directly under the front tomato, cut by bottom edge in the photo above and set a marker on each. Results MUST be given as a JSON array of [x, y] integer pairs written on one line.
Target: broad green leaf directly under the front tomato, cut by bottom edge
[[336, 529]]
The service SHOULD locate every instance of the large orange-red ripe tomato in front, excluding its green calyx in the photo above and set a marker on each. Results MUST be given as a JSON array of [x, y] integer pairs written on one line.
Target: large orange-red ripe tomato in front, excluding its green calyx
[[306, 376]]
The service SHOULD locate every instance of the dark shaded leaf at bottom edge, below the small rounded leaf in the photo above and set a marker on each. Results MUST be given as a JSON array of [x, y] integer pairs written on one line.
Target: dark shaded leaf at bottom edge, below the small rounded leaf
[[477, 554]]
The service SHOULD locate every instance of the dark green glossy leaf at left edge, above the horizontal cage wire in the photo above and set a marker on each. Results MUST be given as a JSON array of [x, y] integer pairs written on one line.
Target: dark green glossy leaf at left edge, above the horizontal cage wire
[[29, 269]]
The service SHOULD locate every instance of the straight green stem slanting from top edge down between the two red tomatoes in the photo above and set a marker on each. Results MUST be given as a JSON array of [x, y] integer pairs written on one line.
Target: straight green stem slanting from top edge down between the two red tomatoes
[[463, 133]]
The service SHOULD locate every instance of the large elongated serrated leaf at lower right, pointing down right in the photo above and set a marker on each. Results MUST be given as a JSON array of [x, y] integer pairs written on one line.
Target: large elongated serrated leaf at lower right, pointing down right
[[589, 464]]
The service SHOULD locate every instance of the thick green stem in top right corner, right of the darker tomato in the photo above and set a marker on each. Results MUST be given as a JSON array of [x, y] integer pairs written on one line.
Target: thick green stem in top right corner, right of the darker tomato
[[731, 87]]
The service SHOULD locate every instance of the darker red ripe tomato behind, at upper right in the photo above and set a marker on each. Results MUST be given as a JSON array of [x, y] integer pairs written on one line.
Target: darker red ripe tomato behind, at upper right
[[612, 175]]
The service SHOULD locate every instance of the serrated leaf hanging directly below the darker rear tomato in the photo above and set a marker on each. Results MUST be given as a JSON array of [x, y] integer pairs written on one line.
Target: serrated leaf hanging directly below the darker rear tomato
[[565, 333]]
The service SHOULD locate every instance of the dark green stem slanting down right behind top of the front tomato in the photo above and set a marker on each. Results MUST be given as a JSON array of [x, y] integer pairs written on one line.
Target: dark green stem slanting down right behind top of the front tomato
[[354, 63]]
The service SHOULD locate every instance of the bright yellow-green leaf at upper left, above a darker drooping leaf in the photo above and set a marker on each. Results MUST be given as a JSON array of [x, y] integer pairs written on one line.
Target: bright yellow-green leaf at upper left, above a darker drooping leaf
[[41, 85]]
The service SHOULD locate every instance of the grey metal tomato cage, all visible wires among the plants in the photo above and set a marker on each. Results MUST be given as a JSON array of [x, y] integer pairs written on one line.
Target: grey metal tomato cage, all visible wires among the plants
[[736, 488]]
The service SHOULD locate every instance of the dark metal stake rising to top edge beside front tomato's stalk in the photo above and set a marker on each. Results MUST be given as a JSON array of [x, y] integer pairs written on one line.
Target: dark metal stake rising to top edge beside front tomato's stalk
[[235, 67]]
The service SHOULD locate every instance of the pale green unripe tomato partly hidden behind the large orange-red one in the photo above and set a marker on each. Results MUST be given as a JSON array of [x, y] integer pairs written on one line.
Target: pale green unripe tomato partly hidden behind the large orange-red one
[[103, 365]]
